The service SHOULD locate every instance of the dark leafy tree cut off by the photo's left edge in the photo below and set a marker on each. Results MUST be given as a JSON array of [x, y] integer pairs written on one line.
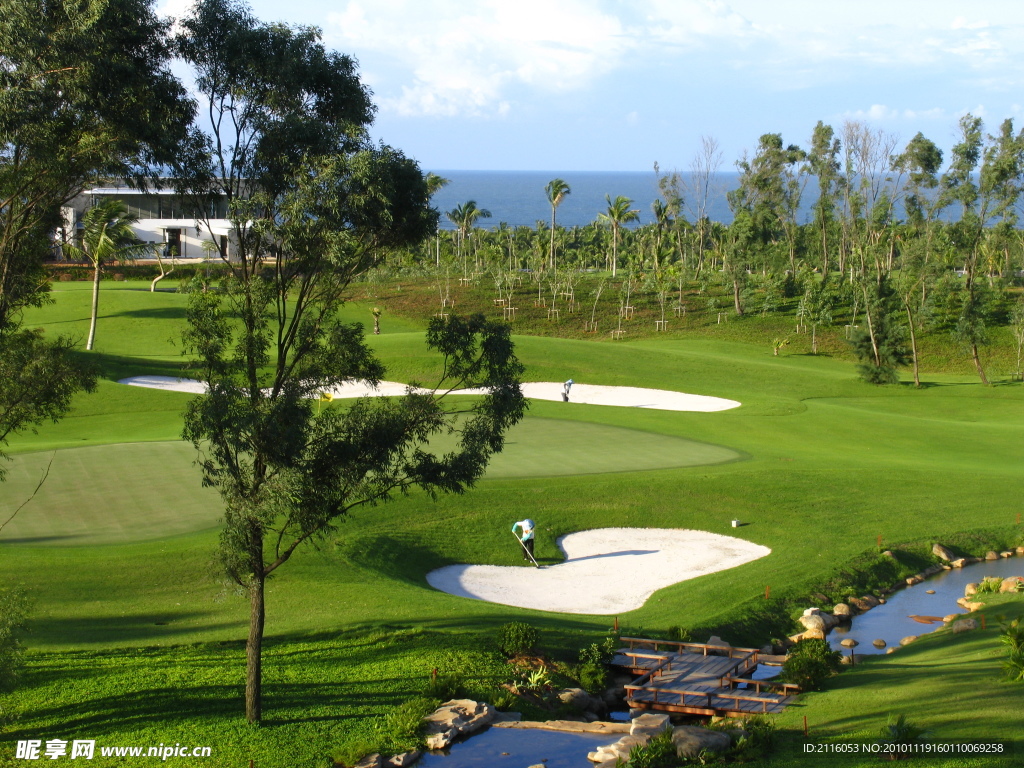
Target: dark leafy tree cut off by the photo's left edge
[[87, 93]]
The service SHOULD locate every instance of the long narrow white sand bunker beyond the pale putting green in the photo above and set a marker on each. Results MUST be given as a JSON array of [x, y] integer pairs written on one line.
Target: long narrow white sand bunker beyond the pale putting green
[[588, 395]]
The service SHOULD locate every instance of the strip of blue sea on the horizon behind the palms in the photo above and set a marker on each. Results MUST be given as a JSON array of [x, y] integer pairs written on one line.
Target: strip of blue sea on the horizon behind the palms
[[518, 198]]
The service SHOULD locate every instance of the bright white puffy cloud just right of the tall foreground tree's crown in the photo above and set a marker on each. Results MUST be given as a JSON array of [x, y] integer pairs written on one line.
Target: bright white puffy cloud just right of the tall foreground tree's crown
[[466, 59]]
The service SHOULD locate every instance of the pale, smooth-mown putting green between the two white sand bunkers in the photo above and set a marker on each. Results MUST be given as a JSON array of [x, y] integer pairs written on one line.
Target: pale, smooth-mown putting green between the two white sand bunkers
[[135, 492]]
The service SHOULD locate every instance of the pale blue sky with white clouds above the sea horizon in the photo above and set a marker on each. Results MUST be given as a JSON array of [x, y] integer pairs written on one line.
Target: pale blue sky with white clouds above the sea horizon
[[618, 86]]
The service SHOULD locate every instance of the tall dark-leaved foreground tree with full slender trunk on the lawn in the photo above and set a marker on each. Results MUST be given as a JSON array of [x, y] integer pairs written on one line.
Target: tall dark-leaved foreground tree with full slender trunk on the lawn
[[312, 203]]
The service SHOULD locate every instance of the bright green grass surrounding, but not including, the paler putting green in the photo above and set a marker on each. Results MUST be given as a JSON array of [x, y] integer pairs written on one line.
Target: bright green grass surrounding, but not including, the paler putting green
[[831, 463]]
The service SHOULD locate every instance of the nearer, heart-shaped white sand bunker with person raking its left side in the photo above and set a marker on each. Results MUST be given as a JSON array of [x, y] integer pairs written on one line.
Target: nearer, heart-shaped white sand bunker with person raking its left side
[[607, 571]]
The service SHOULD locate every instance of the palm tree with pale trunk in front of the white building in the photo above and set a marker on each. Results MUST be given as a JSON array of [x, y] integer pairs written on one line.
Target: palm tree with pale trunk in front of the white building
[[107, 236]]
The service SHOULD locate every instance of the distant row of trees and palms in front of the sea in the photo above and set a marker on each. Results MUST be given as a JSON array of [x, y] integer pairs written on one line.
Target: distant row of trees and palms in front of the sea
[[890, 233]]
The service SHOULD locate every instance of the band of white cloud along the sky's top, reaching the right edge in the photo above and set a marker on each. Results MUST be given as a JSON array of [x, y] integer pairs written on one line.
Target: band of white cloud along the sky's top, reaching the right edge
[[446, 58]]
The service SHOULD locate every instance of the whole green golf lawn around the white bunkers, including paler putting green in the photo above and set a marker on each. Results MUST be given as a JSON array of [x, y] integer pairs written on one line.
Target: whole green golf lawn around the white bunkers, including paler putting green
[[817, 462]]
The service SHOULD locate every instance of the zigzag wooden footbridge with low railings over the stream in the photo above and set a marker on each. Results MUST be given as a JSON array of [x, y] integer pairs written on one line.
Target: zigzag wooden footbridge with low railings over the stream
[[700, 679]]
